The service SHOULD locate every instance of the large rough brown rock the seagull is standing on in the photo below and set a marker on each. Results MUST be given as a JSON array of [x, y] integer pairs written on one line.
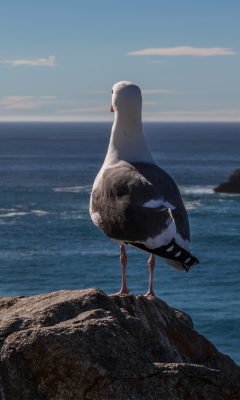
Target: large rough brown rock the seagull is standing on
[[84, 344]]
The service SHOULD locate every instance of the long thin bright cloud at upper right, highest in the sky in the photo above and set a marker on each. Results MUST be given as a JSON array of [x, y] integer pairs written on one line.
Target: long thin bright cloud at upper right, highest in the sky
[[184, 51]]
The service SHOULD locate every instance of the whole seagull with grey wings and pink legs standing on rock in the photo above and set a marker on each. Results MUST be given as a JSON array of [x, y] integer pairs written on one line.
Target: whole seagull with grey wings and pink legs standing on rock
[[135, 202]]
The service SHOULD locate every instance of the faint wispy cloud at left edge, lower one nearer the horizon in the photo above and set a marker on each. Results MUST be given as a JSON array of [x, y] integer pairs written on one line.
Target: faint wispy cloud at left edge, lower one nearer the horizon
[[20, 103]]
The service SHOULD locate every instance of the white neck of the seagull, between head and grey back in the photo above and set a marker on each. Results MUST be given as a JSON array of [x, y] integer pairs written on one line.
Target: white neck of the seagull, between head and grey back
[[127, 142]]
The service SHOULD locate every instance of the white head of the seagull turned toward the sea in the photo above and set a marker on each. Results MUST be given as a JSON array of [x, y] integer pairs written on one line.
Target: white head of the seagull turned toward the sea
[[126, 100]]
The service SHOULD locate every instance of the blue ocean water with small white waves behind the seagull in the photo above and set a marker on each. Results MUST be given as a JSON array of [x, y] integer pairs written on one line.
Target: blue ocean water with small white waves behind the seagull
[[48, 242]]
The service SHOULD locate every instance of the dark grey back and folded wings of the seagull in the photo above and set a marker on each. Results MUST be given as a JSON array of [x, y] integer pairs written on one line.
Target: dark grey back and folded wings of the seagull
[[121, 199]]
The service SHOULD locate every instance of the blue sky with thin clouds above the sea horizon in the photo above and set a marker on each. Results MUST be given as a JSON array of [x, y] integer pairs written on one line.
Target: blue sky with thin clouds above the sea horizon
[[60, 58]]
